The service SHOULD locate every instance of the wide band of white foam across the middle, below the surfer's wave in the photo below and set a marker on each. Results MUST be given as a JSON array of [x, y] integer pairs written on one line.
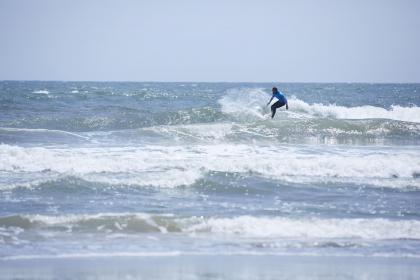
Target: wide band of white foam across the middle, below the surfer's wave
[[183, 165]]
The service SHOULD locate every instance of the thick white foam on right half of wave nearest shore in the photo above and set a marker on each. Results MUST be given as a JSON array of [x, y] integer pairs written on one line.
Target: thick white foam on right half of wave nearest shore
[[279, 227]]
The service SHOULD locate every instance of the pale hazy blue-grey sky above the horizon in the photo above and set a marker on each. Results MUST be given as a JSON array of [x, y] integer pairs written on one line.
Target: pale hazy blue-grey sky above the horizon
[[211, 40]]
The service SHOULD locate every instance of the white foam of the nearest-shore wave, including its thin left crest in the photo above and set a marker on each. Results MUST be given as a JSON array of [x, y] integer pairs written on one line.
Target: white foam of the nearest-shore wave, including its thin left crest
[[259, 227]]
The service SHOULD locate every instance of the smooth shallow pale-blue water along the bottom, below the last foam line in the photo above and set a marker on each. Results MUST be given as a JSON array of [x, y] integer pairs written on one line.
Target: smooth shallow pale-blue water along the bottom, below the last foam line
[[213, 267]]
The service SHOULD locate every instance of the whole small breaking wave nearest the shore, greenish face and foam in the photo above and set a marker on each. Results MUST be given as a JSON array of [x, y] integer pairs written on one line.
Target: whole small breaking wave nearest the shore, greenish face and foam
[[246, 226]]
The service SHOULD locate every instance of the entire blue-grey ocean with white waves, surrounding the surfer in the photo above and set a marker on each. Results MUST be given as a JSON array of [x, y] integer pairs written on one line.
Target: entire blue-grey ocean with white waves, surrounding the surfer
[[196, 181]]
